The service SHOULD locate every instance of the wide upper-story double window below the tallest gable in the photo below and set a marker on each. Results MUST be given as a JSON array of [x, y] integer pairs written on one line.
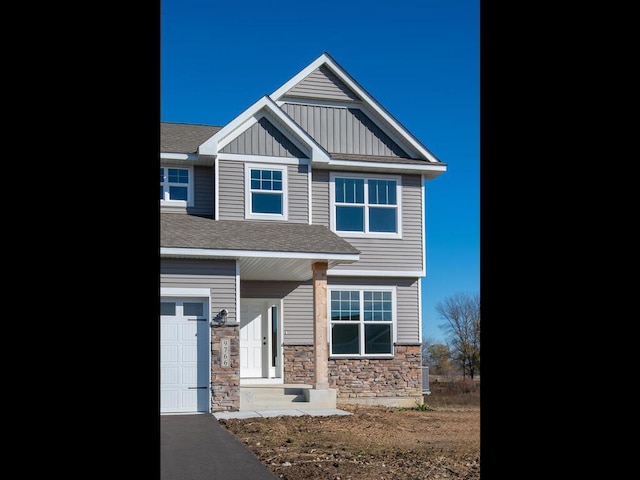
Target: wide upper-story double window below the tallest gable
[[365, 205]]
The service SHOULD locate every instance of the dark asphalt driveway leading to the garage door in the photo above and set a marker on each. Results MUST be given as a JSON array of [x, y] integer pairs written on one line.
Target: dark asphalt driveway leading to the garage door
[[197, 447]]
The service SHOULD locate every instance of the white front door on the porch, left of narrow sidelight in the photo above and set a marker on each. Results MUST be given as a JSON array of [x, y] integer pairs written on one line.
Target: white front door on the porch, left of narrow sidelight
[[251, 341]]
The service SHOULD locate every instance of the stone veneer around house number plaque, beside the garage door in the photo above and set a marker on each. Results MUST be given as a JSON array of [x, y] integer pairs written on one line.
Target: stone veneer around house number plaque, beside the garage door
[[225, 380]]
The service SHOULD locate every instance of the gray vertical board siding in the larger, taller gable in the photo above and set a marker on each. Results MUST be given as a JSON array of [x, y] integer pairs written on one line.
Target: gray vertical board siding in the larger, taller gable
[[343, 130]]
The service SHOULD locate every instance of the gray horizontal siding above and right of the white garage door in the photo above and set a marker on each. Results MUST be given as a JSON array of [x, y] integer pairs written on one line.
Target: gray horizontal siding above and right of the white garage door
[[217, 275]]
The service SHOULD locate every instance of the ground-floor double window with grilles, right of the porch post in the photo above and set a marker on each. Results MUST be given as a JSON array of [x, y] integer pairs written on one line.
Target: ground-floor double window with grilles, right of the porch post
[[362, 321]]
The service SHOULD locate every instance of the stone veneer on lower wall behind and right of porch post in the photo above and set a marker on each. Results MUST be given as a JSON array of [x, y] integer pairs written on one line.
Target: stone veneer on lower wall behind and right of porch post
[[388, 381]]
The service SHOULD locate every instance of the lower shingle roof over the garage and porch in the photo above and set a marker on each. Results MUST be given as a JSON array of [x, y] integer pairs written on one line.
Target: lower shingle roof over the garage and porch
[[180, 230]]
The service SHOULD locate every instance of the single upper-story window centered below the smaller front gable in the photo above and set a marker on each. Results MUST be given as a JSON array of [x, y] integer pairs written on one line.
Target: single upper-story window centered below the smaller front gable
[[266, 192]]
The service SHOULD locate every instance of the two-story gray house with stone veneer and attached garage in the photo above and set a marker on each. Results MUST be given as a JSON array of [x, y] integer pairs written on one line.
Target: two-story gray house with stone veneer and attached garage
[[292, 245]]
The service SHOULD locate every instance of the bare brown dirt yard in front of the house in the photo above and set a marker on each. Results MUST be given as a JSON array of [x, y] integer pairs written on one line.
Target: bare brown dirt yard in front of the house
[[441, 441]]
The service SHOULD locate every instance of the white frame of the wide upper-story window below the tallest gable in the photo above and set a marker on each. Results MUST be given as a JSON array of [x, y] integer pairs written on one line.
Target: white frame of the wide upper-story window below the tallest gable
[[366, 178]]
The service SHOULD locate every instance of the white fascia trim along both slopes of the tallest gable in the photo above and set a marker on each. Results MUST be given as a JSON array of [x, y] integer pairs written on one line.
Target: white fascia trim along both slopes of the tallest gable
[[326, 60]]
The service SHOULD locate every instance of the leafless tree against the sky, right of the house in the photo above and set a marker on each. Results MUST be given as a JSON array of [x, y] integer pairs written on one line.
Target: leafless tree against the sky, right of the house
[[461, 315]]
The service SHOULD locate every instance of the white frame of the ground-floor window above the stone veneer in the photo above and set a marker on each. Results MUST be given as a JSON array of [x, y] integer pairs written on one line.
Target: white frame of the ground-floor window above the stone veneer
[[361, 322]]
